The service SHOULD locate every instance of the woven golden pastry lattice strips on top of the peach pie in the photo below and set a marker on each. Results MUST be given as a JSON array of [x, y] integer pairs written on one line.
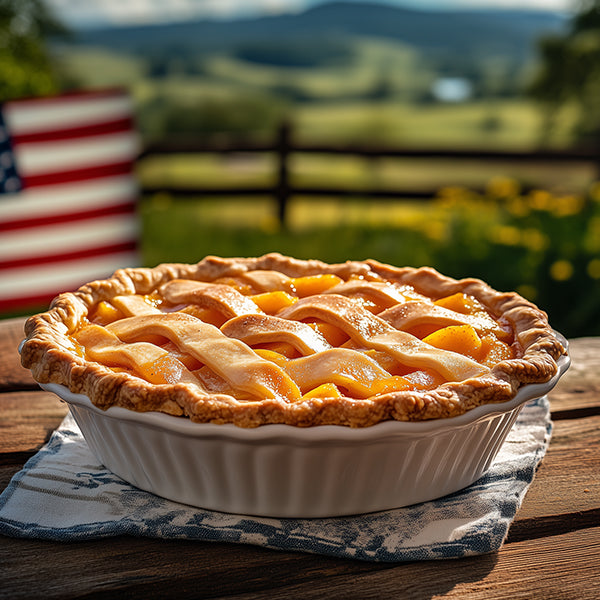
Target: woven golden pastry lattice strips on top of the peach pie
[[231, 366]]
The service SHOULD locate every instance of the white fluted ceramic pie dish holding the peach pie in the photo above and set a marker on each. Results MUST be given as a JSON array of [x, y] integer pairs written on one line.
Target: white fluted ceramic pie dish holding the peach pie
[[293, 472]]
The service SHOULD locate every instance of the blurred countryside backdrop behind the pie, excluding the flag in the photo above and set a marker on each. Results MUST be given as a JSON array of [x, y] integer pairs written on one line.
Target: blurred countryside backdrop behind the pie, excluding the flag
[[478, 78]]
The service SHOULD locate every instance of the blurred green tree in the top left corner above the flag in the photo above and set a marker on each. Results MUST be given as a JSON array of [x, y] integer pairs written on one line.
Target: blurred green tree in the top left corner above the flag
[[26, 68]]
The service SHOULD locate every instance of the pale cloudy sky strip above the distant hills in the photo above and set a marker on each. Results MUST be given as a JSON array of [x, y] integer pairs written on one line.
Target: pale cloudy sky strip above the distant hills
[[127, 12]]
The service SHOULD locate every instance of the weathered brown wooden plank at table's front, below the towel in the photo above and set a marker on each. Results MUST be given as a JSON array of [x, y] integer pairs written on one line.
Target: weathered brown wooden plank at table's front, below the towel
[[557, 567]]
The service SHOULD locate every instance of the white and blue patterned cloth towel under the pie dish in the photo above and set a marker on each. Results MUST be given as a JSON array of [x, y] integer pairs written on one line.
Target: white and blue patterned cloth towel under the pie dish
[[64, 494]]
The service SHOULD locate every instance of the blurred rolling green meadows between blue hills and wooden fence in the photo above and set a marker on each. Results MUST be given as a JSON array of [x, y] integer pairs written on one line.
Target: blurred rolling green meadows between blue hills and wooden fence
[[379, 94]]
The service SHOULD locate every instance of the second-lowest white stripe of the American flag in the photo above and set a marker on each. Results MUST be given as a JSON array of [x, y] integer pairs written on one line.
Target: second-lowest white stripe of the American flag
[[70, 237]]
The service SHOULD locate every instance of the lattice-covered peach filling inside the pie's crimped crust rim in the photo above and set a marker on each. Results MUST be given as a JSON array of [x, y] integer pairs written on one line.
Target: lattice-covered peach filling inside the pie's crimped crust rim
[[265, 335]]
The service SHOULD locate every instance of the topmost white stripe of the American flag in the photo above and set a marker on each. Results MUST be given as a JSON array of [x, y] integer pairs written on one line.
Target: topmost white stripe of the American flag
[[41, 117]]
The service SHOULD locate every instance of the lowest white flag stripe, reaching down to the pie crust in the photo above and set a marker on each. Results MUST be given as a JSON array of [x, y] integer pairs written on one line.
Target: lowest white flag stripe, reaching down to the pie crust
[[64, 276]]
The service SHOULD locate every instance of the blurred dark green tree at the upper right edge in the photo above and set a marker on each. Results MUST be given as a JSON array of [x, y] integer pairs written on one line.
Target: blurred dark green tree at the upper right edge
[[570, 72]]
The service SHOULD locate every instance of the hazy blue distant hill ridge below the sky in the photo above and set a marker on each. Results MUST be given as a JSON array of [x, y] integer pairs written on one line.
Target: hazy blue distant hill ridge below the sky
[[486, 32]]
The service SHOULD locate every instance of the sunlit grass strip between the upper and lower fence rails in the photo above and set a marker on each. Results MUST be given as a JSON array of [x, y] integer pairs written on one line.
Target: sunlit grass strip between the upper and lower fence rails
[[355, 173]]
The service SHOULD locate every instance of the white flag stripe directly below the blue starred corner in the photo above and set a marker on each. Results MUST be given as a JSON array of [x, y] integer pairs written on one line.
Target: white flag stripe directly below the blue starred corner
[[60, 199]]
